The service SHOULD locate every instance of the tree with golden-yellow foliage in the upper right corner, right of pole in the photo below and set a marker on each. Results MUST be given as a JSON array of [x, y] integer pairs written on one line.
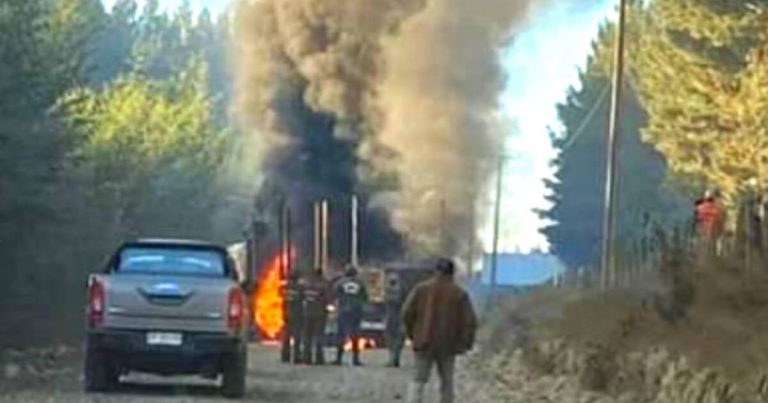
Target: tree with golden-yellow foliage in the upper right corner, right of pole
[[701, 70]]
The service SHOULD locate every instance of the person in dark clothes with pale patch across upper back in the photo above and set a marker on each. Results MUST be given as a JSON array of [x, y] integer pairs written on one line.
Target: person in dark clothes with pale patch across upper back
[[352, 296]]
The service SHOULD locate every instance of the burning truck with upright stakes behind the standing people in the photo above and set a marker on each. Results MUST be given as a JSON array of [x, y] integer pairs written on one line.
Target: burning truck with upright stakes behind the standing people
[[267, 299]]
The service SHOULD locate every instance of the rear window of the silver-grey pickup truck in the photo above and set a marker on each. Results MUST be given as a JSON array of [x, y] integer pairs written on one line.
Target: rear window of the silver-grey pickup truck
[[173, 261]]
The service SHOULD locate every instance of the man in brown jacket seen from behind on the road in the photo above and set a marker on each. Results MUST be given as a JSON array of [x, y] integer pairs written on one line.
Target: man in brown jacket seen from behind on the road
[[441, 323]]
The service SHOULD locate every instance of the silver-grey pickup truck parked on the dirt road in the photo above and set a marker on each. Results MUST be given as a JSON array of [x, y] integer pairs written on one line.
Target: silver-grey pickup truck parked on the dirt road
[[167, 307]]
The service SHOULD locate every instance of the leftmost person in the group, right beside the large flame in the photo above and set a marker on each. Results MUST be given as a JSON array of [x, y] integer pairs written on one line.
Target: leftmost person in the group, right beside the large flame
[[293, 294]]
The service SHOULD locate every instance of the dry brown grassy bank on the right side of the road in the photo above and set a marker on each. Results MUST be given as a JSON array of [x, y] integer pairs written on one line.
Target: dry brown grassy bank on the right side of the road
[[716, 317]]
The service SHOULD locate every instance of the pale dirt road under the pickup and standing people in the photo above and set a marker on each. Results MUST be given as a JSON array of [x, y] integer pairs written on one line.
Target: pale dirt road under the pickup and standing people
[[268, 381]]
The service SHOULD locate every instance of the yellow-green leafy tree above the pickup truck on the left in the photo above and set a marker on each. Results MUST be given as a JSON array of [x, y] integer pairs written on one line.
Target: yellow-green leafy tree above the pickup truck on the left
[[150, 150]]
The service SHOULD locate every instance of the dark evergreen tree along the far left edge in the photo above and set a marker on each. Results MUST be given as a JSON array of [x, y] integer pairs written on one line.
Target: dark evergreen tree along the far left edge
[[42, 52]]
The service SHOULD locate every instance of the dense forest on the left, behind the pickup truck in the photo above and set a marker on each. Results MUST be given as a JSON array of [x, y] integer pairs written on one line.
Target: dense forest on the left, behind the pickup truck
[[113, 125]]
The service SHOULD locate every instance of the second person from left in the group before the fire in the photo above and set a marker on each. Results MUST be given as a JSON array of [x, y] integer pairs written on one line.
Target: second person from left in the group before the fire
[[316, 299]]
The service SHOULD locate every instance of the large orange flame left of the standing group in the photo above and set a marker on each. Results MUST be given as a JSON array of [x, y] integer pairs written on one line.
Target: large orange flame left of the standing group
[[268, 300]]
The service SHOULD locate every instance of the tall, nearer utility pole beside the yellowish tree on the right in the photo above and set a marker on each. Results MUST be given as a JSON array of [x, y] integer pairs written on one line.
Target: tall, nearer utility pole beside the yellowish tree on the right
[[608, 269]]
